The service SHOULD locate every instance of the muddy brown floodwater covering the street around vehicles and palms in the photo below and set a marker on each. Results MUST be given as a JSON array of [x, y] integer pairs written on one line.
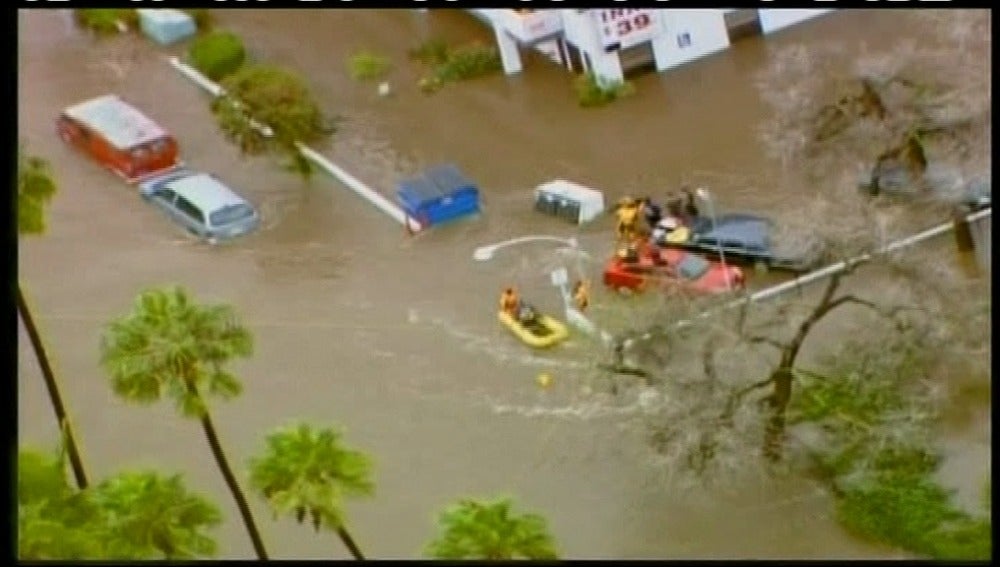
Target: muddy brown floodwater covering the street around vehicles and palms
[[392, 337]]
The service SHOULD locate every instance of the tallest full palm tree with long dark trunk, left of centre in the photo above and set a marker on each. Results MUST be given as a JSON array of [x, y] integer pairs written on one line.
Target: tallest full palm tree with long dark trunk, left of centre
[[170, 346]]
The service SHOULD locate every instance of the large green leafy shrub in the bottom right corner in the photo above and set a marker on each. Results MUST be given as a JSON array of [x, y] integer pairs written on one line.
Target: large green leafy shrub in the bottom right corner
[[883, 471]]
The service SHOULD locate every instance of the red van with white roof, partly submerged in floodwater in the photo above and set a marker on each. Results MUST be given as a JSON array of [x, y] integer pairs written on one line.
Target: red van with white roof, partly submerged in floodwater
[[119, 137]]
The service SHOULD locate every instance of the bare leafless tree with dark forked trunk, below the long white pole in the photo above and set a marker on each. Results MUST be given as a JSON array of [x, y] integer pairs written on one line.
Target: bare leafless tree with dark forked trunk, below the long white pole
[[720, 395]]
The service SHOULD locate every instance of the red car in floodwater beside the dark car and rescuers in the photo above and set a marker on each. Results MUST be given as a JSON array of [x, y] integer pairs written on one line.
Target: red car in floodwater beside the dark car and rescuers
[[671, 268]]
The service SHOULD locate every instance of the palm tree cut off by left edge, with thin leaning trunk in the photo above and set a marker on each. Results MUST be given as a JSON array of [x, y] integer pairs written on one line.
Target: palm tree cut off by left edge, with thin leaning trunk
[[35, 189]]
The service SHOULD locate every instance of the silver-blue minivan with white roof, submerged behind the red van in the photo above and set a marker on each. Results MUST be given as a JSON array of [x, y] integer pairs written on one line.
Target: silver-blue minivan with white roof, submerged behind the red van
[[202, 204]]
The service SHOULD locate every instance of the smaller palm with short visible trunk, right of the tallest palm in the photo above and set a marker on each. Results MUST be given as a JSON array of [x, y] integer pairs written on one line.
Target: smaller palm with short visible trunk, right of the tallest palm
[[307, 470]]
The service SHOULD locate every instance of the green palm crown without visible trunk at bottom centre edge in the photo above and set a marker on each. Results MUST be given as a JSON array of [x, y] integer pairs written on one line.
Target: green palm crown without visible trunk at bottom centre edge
[[483, 529]]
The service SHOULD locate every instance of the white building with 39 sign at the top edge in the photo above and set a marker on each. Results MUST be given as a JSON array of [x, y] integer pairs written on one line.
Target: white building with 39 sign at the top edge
[[611, 42]]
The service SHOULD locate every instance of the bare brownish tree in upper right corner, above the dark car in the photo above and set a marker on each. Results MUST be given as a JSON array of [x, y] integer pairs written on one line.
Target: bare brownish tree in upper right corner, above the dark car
[[917, 105]]
